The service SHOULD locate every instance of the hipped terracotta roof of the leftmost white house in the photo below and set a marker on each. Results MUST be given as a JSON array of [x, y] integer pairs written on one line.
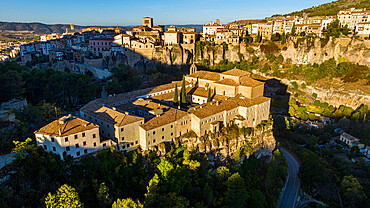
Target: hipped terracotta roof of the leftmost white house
[[71, 126]]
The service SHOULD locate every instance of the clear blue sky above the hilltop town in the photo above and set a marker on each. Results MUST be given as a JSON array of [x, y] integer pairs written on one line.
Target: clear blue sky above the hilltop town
[[130, 12]]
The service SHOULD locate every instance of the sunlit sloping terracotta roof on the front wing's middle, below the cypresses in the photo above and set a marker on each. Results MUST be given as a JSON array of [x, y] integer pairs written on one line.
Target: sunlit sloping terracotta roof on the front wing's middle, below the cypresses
[[169, 116]]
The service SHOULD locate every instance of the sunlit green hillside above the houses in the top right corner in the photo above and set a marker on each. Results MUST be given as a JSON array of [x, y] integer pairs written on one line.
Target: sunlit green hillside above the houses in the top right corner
[[332, 8]]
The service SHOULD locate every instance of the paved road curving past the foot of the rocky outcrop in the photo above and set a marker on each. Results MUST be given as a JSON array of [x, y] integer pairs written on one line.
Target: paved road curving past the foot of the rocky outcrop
[[289, 196]]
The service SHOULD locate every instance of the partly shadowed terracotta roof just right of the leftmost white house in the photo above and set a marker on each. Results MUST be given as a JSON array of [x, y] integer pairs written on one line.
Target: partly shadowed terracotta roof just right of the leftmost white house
[[115, 117]]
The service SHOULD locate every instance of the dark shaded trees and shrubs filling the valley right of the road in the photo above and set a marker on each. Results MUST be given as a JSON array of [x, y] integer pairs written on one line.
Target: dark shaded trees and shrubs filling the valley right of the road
[[325, 172]]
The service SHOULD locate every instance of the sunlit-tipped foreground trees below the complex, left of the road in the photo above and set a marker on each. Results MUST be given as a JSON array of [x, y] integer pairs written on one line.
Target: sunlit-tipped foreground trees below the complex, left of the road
[[181, 179]]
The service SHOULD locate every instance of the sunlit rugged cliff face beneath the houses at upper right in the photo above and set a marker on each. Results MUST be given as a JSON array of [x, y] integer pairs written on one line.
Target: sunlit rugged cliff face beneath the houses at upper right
[[356, 51]]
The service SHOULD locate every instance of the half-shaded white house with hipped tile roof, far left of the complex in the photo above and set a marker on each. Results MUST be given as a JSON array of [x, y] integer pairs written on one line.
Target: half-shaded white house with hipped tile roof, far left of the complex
[[72, 135]]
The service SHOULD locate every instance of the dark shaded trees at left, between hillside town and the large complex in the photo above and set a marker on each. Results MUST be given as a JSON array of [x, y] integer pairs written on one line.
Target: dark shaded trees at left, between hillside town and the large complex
[[37, 85]]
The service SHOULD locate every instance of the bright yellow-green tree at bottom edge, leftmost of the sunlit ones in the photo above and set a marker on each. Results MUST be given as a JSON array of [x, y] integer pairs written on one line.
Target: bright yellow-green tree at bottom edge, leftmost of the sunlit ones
[[66, 197]]
